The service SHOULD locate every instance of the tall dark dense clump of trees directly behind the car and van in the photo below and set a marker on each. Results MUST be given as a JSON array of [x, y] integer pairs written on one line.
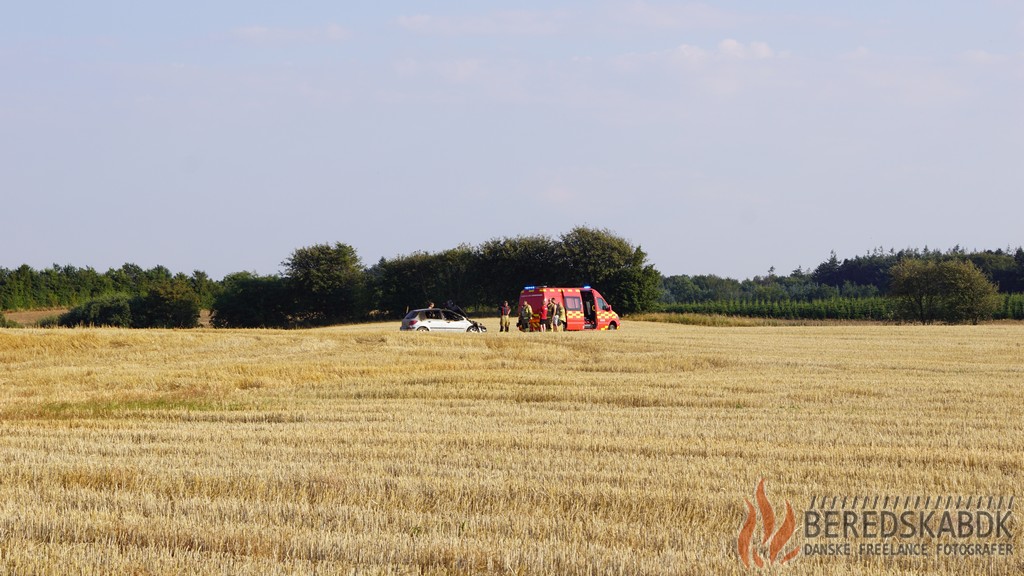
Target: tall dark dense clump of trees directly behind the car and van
[[328, 284]]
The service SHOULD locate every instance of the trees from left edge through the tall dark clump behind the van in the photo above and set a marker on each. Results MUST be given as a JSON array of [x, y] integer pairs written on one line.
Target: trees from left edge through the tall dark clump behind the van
[[329, 284]]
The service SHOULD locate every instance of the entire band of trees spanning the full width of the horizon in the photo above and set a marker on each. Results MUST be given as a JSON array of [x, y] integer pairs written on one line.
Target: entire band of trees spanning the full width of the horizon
[[329, 284]]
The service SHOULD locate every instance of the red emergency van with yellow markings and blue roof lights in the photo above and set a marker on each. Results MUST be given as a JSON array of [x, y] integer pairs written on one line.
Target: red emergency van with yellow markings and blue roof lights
[[586, 309]]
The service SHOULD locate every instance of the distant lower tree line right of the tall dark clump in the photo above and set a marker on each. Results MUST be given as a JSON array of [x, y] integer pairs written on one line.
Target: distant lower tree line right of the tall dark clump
[[913, 285]]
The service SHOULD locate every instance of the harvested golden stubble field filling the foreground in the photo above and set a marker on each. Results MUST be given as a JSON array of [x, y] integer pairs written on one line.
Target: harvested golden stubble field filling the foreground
[[363, 450]]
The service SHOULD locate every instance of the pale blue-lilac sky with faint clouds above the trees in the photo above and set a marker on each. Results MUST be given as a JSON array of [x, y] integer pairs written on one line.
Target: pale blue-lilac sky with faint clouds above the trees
[[721, 138]]
